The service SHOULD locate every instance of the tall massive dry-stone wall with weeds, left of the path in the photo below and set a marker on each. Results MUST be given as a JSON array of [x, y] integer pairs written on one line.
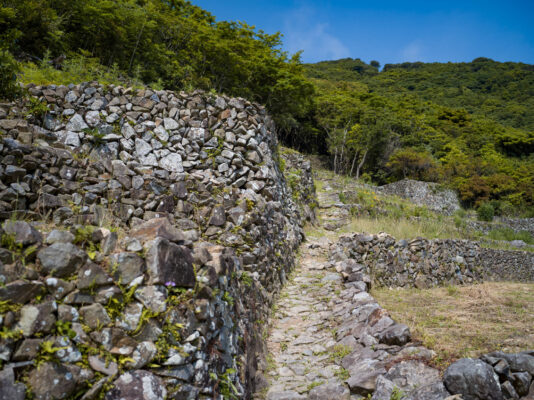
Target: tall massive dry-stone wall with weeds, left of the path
[[145, 235]]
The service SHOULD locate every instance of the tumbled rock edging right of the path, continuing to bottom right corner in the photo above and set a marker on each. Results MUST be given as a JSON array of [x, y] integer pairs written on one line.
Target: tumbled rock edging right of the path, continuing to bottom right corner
[[383, 361]]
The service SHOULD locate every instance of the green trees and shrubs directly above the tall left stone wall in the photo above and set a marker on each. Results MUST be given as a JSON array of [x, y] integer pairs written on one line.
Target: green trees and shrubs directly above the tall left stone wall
[[171, 44]]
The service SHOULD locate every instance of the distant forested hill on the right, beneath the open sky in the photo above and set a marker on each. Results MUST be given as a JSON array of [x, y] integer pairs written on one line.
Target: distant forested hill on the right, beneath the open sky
[[469, 125]]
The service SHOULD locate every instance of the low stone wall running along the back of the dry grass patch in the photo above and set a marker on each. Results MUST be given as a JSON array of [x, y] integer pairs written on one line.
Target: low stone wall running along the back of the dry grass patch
[[426, 263]]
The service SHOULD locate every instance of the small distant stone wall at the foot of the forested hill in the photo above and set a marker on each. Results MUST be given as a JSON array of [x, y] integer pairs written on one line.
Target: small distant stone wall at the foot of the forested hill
[[426, 194]]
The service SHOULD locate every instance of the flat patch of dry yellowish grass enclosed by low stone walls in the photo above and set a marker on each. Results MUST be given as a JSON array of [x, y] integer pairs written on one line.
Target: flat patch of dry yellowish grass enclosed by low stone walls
[[465, 321]]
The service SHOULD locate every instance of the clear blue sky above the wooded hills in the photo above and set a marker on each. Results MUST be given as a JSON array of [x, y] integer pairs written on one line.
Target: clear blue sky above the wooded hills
[[392, 31]]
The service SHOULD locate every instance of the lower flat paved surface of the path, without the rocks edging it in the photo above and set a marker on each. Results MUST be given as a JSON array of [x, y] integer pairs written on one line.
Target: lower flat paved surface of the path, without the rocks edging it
[[302, 334]]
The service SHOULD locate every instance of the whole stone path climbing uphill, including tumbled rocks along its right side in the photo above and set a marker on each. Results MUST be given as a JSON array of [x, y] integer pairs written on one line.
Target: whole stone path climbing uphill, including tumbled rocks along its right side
[[330, 340]]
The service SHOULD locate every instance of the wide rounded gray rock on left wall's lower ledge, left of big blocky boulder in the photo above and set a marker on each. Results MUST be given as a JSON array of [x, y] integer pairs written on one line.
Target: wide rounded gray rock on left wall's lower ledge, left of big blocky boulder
[[61, 259]]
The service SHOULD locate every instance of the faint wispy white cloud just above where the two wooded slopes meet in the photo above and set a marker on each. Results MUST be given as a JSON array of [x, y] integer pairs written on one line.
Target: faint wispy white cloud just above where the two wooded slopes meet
[[304, 32]]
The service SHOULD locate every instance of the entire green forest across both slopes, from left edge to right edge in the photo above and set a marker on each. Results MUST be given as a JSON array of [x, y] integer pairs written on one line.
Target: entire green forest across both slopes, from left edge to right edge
[[467, 125]]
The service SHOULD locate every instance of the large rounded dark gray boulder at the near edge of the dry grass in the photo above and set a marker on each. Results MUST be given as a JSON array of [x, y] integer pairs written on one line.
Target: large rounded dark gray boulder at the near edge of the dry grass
[[473, 379]]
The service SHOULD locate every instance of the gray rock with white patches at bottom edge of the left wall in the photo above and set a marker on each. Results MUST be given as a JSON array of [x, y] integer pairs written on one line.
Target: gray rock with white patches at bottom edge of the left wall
[[137, 385]]
